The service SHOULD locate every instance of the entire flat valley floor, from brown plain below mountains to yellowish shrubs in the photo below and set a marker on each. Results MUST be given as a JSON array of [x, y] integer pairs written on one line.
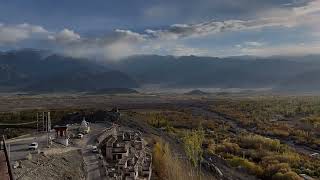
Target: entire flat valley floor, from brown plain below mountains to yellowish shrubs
[[259, 137]]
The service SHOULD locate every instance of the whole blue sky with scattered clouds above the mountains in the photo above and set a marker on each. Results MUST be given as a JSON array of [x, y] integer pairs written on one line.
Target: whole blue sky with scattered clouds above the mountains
[[113, 29]]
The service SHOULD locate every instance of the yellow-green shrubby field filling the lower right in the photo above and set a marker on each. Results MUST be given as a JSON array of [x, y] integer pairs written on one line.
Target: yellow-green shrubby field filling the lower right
[[267, 137]]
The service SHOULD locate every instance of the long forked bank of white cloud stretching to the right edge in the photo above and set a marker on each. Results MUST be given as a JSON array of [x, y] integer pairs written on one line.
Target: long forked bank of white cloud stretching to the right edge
[[122, 43]]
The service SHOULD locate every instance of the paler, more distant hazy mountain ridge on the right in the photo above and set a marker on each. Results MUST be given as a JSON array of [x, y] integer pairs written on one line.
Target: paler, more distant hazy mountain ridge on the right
[[239, 72]]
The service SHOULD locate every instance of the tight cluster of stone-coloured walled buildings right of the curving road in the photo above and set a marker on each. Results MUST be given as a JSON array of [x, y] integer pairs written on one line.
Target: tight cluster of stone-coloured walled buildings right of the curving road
[[126, 155]]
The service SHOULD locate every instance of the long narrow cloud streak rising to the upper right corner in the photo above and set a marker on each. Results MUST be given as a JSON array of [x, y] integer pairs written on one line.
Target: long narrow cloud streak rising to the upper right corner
[[276, 17]]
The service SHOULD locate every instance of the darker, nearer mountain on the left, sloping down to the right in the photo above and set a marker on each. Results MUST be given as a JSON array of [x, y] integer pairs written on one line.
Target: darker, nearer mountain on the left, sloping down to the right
[[32, 71]]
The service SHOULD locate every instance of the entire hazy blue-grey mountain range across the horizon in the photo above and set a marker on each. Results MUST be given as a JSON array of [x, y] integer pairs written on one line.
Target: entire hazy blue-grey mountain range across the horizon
[[42, 71]]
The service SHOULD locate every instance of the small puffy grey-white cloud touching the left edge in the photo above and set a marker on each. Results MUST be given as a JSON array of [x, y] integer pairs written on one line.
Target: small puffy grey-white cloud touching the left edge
[[16, 33]]
